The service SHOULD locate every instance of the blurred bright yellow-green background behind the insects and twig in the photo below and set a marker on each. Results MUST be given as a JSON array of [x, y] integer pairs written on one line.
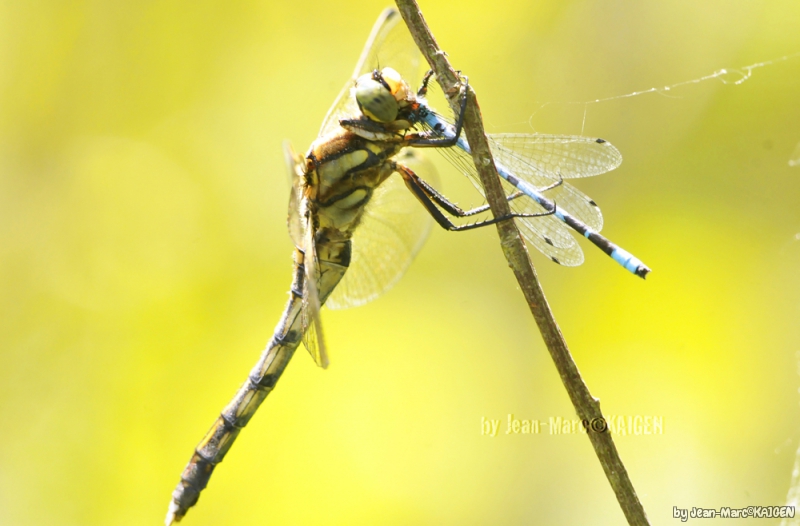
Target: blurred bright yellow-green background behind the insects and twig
[[144, 260]]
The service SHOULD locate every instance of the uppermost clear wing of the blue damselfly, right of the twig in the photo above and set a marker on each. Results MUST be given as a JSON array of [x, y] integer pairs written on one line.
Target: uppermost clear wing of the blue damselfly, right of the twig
[[560, 156]]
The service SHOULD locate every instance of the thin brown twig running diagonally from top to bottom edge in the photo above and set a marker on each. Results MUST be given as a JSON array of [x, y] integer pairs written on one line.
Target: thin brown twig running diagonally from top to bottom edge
[[586, 406]]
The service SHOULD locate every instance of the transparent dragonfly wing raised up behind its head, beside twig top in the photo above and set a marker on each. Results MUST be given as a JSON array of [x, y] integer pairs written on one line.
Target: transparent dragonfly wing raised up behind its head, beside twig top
[[389, 44]]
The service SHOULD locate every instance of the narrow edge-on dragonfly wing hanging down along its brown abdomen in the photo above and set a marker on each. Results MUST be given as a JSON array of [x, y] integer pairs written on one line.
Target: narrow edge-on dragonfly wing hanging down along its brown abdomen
[[312, 333]]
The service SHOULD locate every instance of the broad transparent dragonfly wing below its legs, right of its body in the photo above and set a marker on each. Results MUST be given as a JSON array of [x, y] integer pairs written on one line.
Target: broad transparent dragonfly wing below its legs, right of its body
[[392, 230]]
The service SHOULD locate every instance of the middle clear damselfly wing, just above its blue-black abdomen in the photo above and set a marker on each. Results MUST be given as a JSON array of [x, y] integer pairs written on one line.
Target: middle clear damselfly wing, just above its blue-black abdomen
[[566, 196]]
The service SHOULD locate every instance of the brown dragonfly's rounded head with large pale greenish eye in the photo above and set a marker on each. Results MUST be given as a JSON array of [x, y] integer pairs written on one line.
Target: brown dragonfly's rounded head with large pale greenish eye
[[382, 94]]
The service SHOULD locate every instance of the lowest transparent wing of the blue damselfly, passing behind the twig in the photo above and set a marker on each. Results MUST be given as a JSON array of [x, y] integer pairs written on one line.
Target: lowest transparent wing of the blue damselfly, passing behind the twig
[[547, 233]]
